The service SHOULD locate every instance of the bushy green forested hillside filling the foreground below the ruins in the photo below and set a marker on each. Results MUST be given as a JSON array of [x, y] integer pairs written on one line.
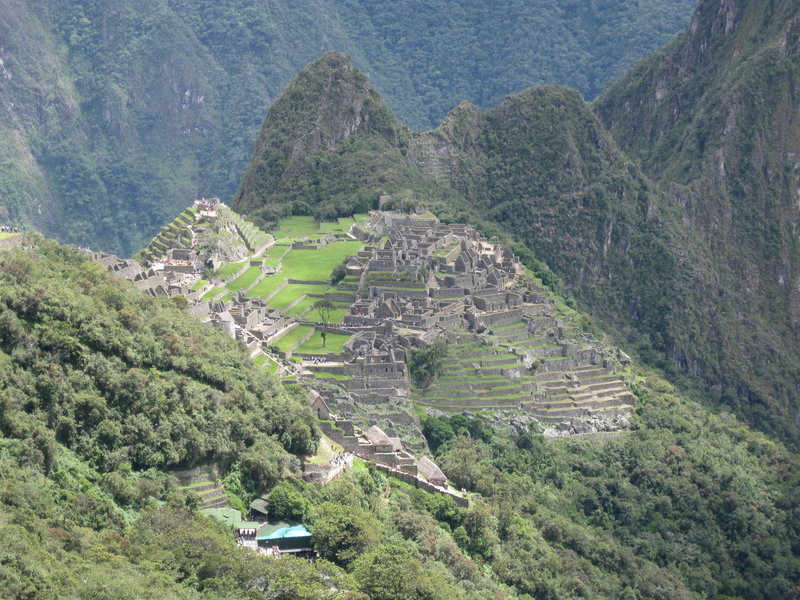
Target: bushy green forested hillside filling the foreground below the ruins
[[102, 387]]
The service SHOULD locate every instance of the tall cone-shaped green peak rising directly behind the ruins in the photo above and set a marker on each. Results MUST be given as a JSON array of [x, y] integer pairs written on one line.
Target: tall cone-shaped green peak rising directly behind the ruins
[[329, 145]]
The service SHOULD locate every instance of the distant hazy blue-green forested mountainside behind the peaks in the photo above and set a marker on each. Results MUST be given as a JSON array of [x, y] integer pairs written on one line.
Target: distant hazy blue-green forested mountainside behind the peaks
[[116, 115]]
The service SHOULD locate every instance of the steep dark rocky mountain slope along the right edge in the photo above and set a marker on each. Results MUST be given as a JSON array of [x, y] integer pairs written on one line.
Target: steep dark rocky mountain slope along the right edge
[[714, 119]]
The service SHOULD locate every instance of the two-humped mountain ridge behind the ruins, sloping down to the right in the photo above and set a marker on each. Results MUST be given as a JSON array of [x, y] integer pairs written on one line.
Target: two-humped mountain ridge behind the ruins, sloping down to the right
[[542, 166]]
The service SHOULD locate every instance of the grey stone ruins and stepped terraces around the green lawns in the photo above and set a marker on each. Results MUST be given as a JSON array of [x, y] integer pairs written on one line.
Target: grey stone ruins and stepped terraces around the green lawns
[[417, 282]]
